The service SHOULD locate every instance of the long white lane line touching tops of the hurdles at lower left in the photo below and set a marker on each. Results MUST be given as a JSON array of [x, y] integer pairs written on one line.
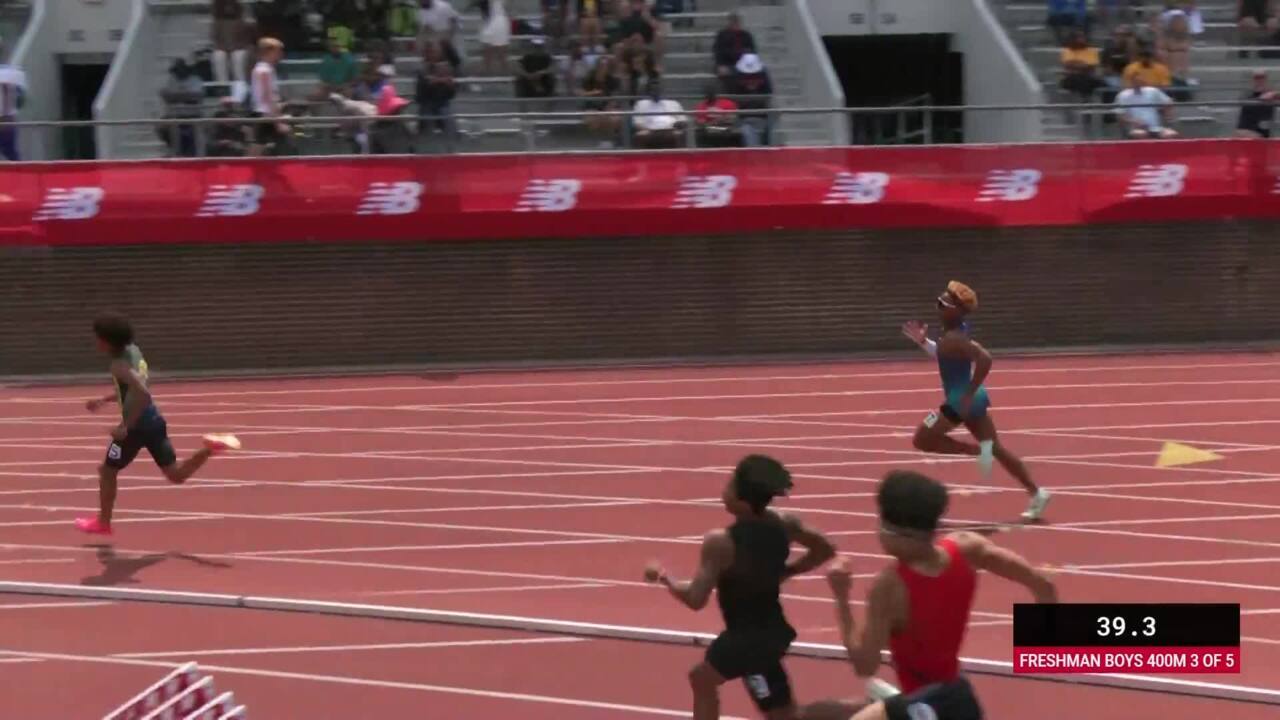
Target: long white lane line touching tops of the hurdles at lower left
[[362, 682]]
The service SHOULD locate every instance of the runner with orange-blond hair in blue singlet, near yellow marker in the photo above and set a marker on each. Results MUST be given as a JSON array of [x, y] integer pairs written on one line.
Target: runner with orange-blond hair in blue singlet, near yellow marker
[[964, 366]]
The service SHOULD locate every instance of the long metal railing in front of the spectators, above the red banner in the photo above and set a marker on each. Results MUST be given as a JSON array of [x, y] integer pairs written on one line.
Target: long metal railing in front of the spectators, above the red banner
[[582, 131]]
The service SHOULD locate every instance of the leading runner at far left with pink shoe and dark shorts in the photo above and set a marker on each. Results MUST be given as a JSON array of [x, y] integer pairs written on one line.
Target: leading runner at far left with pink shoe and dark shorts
[[141, 425]]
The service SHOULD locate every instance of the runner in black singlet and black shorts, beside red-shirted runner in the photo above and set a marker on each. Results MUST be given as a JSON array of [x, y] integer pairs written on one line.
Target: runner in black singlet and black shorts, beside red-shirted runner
[[747, 566]]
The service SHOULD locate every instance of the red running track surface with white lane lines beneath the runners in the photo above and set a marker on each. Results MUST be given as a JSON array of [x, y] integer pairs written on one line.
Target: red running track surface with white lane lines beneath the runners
[[545, 494]]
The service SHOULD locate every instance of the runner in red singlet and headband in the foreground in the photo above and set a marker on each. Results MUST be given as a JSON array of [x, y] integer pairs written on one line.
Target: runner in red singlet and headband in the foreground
[[918, 608]]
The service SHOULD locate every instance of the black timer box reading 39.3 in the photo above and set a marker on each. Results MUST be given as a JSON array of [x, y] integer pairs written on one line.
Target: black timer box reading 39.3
[[1127, 626]]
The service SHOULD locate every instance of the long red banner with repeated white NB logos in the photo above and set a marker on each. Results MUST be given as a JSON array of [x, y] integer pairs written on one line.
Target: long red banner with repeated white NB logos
[[520, 197]]
